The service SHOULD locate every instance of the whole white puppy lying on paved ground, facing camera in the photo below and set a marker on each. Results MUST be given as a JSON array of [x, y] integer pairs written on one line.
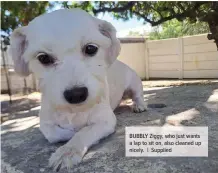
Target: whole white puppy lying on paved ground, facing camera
[[74, 56]]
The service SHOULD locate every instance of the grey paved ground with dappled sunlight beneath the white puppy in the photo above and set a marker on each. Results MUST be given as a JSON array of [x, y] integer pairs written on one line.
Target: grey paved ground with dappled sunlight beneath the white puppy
[[24, 149]]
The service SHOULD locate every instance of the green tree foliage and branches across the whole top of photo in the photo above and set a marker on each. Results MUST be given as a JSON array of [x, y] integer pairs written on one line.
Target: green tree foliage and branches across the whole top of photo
[[14, 14]]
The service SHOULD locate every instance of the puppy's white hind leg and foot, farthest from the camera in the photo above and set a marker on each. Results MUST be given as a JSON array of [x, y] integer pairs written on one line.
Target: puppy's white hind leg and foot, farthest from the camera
[[136, 88]]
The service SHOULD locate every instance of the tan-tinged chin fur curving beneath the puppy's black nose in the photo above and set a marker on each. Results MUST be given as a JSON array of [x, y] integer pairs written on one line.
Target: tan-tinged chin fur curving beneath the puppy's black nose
[[82, 107]]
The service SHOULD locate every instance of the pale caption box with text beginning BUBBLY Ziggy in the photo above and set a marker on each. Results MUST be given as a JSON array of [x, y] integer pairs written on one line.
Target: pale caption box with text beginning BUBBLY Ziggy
[[169, 141]]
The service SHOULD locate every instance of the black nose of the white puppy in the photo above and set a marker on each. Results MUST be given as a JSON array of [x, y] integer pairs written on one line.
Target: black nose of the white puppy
[[76, 95]]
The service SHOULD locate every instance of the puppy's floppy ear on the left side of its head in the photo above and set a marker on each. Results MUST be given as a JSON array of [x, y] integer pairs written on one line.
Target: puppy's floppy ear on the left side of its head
[[18, 45]]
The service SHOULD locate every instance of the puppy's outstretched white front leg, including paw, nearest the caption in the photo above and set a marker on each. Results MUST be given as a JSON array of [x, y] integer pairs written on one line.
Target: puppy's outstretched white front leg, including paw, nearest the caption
[[101, 124]]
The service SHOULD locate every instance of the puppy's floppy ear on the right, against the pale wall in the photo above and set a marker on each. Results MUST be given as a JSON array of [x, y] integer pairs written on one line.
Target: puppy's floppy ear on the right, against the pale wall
[[108, 30]]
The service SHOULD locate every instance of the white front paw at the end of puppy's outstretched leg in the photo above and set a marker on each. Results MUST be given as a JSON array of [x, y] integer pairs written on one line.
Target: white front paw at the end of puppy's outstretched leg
[[65, 157]]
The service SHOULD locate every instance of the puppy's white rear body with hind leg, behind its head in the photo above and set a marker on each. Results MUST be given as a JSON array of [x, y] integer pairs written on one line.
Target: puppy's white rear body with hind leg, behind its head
[[121, 80]]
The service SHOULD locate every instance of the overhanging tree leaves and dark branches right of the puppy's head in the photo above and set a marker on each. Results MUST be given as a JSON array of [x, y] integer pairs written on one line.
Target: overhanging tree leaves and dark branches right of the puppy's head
[[158, 12]]
